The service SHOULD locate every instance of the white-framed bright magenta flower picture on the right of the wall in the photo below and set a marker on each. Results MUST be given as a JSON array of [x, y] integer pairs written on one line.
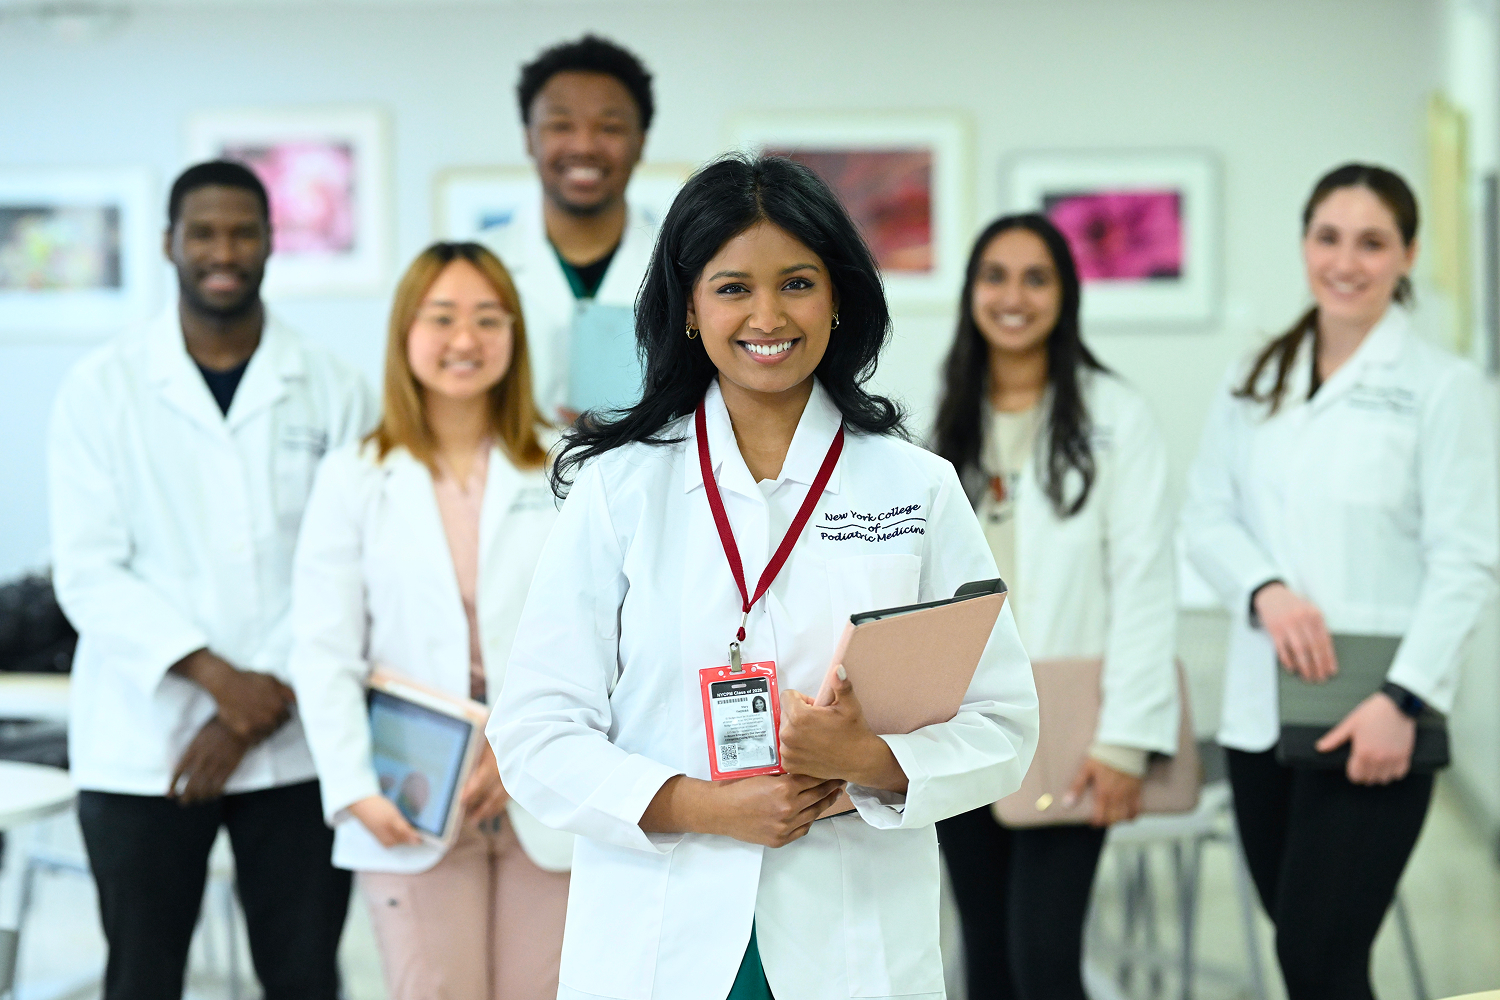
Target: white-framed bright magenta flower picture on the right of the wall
[[1144, 229]]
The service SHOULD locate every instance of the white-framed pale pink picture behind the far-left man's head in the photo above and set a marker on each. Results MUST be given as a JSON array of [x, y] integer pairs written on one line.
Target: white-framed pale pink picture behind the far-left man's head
[[328, 173]]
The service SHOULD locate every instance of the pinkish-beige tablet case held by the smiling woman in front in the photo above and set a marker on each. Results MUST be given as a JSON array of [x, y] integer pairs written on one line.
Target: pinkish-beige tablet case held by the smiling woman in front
[[913, 669]]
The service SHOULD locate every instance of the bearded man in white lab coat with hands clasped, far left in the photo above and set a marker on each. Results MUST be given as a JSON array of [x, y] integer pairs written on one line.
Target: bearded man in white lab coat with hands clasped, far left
[[179, 464]]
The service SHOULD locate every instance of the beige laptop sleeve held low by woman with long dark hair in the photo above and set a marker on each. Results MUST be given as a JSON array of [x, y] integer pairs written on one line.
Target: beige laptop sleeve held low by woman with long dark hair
[[1069, 701]]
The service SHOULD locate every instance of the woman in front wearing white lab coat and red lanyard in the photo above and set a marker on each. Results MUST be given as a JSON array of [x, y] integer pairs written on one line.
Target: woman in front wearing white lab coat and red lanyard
[[760, 322]]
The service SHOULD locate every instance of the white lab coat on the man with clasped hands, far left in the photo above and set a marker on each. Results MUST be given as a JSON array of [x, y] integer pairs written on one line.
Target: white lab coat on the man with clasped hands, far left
[[173, 530]]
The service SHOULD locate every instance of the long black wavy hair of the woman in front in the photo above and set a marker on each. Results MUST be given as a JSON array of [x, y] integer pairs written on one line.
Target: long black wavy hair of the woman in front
[[716, 205]]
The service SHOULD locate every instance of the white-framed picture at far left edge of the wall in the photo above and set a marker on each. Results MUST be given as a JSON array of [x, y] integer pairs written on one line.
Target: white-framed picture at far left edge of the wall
[[80, 251]]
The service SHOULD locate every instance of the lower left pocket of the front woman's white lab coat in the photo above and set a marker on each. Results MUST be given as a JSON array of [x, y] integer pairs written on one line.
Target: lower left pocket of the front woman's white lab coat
[[616, 896]]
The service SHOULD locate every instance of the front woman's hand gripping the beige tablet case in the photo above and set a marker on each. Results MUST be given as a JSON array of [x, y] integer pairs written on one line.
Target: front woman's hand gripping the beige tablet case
[[830, 738]]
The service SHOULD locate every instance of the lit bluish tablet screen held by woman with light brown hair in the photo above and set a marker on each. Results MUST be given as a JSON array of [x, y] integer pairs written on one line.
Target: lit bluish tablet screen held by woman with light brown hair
[[419, 755]]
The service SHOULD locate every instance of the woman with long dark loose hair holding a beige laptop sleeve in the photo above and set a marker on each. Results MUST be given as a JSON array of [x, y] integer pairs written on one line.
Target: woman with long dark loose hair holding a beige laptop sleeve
[[1069, 475]]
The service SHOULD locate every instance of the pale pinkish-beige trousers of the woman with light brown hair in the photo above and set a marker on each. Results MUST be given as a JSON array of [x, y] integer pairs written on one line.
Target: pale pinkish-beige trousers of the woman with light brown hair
[[484, 924]]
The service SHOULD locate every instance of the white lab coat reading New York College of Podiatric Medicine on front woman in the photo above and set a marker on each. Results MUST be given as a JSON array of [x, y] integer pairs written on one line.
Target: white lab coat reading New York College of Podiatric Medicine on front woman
[[634, 597]]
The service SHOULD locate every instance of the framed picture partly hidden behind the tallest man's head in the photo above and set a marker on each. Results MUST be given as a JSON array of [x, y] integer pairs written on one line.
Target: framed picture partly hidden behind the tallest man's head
[[470, 200]]
